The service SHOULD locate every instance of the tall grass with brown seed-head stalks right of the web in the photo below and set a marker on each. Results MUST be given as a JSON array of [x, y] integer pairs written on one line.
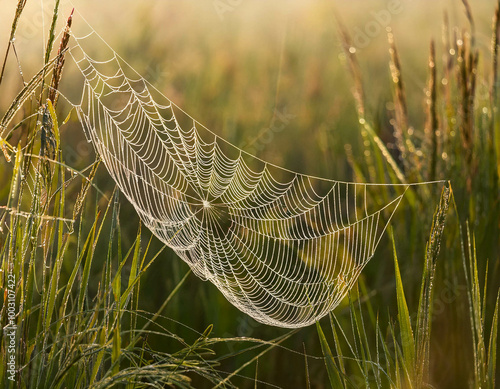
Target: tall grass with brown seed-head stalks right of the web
[[458, 143]]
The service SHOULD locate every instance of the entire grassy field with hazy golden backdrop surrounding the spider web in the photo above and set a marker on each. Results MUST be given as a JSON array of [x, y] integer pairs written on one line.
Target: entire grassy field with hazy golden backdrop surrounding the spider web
[[89, 298]]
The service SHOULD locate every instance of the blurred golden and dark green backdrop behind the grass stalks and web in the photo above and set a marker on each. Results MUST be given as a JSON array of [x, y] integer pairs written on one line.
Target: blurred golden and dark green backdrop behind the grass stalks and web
[[241, 68]]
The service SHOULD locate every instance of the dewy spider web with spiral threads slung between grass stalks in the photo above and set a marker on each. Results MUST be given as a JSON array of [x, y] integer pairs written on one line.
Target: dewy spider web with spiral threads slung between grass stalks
[[283, 247]]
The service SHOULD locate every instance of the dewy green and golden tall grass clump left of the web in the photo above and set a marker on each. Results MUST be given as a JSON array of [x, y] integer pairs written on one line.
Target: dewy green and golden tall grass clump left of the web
[[67, 328]]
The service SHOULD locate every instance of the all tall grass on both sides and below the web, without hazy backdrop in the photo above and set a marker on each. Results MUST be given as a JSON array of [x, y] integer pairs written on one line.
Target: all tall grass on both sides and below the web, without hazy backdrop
[[82, 272]]
